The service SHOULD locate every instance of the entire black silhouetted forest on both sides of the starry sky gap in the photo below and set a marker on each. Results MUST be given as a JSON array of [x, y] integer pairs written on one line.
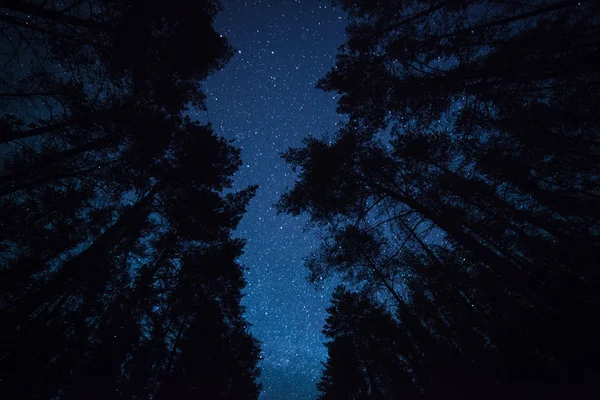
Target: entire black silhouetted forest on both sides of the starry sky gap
[[459, 203]]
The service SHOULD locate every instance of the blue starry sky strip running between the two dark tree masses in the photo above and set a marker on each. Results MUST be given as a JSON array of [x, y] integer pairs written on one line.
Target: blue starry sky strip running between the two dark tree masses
[[265, 99]]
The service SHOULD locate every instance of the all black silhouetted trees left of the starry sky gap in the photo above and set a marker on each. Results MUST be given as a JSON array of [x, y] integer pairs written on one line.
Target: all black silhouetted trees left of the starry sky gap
[[118, 274]]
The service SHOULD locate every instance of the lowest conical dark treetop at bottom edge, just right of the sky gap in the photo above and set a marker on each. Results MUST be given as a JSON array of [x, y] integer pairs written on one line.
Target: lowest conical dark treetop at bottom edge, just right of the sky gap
[[365, 359]]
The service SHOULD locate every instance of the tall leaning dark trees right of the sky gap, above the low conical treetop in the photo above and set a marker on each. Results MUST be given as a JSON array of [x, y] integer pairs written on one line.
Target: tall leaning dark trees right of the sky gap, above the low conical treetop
[[476, 121]]
